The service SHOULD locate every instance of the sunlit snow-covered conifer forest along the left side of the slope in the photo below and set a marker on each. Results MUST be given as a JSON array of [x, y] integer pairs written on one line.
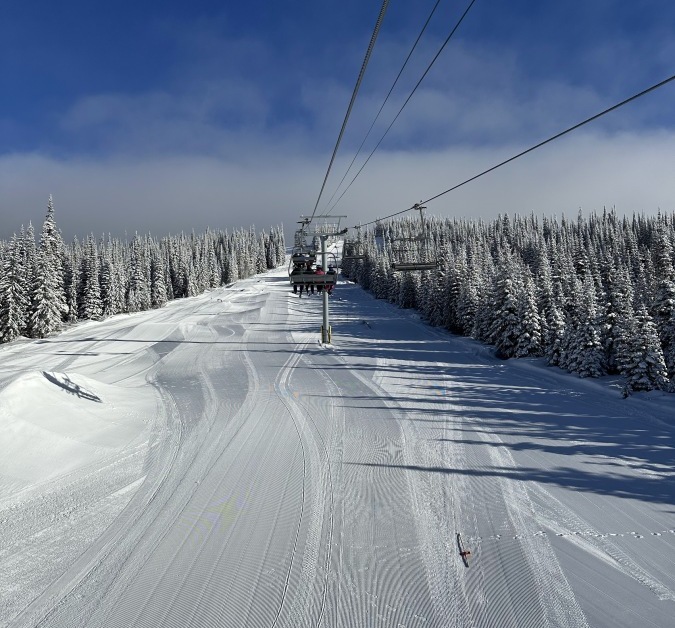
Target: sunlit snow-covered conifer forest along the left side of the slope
[[47, 284]]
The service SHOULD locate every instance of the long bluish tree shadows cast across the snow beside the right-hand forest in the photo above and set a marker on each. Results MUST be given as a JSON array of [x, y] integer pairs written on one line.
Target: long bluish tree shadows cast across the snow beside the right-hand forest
[[460, 392]]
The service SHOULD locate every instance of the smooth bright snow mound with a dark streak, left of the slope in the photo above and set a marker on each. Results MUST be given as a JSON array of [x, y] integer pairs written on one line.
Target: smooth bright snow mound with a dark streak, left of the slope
[[55, 423]]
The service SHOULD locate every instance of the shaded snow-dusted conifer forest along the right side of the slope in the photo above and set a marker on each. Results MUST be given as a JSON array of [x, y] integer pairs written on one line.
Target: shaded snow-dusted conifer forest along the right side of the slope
[[593, 296]]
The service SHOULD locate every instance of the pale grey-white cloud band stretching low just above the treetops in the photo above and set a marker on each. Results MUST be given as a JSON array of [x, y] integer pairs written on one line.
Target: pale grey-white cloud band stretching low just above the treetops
[[161, 195]]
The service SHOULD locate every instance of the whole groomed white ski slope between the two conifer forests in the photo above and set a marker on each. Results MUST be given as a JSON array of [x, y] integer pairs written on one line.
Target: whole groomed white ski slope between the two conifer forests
[[210, 464]]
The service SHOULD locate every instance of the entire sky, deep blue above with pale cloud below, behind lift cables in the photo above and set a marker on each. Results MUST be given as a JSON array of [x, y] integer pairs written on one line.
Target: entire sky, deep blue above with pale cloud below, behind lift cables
[[169, 116]]
